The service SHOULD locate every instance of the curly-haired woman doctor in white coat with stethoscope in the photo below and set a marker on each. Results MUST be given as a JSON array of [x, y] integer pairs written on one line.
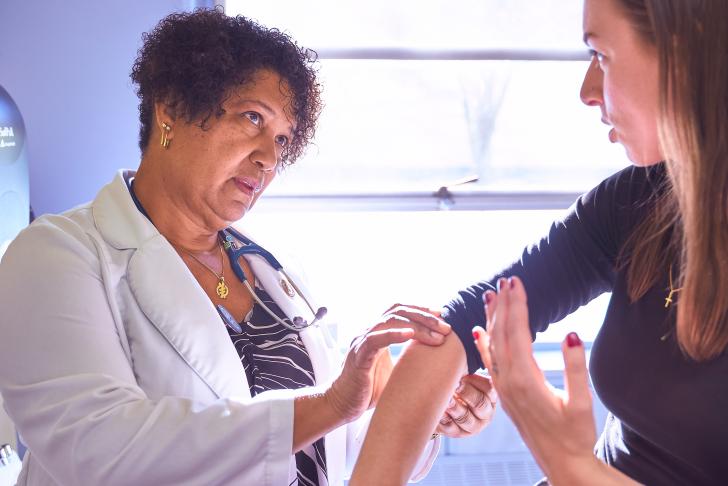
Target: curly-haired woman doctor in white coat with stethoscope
[[152, 353]]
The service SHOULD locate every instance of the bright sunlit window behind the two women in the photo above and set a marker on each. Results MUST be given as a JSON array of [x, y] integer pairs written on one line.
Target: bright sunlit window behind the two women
[[444, 123]]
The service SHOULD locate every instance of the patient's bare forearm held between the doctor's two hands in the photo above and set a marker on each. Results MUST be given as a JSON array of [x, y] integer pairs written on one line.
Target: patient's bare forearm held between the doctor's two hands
[[408, 411]]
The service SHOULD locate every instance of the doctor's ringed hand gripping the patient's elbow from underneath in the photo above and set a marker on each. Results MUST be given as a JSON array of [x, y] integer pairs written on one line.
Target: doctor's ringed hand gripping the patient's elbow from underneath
[[471, 407]]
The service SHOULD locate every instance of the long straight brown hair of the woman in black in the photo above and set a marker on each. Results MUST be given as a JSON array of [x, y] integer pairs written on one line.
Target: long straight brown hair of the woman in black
[[689, 224]]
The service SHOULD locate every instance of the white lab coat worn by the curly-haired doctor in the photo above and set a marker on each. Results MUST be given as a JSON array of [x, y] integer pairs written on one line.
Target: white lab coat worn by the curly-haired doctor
[[116, 368]]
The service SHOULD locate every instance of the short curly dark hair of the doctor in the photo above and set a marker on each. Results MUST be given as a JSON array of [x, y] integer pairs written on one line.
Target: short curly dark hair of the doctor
[[191, 61]]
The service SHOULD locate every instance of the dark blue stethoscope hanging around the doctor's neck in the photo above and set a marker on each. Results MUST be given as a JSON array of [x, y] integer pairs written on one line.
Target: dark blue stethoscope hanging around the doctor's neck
[[248, 247]]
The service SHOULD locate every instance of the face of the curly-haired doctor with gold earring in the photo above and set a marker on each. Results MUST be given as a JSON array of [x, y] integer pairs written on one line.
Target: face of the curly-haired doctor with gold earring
[[222, 170]]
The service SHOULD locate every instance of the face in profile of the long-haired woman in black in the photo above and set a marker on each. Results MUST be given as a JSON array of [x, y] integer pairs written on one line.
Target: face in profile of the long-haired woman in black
[[622, 80]]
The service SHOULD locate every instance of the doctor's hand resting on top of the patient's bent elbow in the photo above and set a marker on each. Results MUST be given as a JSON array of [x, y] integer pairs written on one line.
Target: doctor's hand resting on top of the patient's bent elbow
[[368, 363]]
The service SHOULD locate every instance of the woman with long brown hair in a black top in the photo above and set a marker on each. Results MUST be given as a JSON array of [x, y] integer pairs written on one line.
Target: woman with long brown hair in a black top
[[655, 235]]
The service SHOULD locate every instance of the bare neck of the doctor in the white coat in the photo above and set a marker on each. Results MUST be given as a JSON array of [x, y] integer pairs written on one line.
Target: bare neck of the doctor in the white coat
[[172, 216]]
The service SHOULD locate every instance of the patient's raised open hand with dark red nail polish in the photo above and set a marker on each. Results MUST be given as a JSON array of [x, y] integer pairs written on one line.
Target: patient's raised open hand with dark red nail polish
[[557, 426]]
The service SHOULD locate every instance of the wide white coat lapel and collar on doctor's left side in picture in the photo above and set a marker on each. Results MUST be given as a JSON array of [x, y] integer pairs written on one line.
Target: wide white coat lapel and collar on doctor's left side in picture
[[167, 293]]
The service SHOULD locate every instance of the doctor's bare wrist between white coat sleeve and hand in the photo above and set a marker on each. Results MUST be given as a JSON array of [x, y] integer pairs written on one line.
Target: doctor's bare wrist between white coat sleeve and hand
[[313, 417]]
